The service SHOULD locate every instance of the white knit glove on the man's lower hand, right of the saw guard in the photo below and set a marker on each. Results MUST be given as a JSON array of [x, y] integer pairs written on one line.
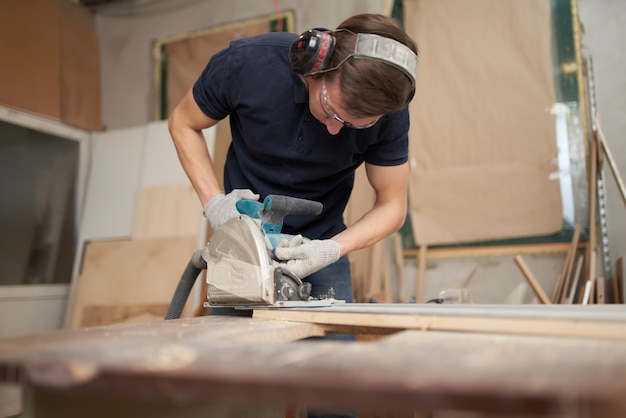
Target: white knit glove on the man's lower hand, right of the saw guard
[[303, 257]]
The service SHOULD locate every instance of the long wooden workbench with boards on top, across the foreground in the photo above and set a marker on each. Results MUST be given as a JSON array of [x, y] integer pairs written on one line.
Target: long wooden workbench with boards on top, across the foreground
[[557, 360]]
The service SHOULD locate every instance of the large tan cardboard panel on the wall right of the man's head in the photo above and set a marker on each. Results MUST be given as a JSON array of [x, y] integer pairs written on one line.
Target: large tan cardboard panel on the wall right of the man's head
[[483, 142]]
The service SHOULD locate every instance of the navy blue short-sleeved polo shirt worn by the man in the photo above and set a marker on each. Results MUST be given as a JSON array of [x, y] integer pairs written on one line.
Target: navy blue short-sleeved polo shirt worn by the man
[[278, 146]]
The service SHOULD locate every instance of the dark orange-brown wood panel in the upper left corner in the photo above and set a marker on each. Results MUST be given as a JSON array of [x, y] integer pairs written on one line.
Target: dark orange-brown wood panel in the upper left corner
[[50, 61]]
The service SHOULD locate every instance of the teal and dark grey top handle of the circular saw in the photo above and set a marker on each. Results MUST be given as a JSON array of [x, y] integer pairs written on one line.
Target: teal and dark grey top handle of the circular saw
[[274, 208]]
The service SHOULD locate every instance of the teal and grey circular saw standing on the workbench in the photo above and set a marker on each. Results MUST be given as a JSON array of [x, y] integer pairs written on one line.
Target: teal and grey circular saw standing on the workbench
[[240, 263]]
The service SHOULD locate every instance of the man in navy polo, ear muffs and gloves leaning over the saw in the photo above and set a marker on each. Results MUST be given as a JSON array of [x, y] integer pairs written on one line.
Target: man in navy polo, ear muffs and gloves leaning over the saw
[[305, 112]]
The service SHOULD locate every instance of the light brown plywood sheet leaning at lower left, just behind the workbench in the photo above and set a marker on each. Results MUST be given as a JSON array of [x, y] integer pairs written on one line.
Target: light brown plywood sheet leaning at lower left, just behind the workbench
[[121, 274]]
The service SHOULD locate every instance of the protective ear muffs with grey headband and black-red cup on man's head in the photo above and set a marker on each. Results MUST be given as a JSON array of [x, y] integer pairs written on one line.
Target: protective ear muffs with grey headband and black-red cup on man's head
[[311, 52]]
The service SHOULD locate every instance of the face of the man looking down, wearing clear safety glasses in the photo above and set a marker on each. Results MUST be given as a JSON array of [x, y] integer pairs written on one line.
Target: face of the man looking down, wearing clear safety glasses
[[327, 105]]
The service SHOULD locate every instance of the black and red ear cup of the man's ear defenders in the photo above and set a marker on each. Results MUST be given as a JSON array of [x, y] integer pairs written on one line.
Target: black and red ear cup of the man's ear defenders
[[311, 52]]
